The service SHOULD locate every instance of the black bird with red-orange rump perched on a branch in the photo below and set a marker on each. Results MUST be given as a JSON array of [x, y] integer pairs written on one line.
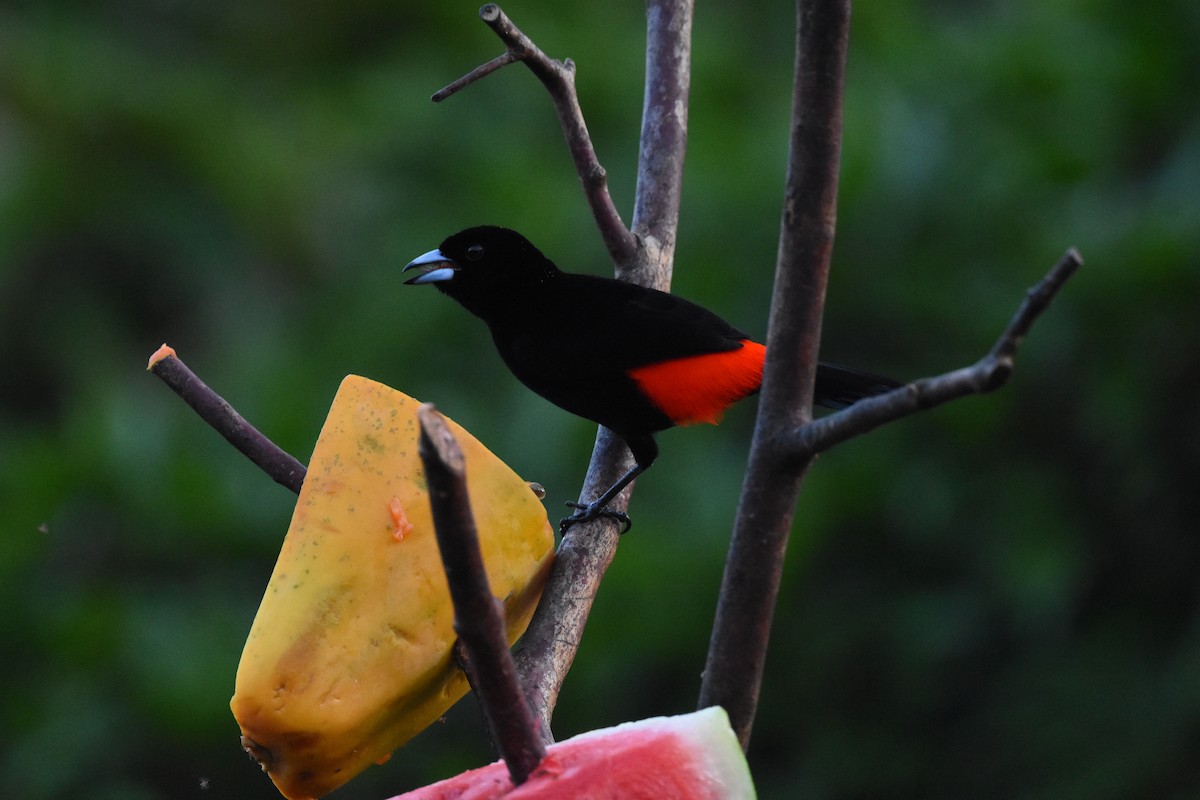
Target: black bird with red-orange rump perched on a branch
[[632, 359]]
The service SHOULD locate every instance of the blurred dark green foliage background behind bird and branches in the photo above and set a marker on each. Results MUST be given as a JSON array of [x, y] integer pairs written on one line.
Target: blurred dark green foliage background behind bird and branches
[[995, 599]]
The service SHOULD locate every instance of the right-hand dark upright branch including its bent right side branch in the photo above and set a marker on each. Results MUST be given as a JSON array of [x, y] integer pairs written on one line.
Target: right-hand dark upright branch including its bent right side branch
[[787, 440]]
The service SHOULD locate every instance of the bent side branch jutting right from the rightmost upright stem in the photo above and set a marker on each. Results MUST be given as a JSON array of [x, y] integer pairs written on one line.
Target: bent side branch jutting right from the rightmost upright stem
[[988, 375]]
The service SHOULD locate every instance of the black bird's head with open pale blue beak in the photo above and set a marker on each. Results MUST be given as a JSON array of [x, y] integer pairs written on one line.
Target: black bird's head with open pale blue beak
[[485, 269]]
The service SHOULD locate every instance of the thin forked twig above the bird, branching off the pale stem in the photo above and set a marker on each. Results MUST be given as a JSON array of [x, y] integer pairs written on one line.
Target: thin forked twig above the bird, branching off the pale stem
[[559, 79]]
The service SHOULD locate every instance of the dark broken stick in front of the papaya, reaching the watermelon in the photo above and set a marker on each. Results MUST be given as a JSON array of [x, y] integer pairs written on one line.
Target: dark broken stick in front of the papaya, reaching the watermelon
[[479, 616]]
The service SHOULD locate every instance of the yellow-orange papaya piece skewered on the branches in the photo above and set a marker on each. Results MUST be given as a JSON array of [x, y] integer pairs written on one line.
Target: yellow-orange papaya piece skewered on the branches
[[350, 655]]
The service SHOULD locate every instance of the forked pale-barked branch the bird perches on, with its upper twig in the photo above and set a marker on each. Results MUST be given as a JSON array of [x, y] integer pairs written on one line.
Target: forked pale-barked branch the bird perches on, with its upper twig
[[550, 645]]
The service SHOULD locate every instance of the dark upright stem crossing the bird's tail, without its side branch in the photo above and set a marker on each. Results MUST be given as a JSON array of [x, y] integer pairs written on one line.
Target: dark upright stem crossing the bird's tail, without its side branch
[[751, 586]]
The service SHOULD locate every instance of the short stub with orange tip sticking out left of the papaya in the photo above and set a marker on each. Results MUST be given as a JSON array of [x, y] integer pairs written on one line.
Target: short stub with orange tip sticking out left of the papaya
[[269, 458]]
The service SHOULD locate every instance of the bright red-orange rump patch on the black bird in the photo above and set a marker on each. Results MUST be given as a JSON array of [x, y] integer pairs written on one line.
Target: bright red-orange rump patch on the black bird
[[700, 388]]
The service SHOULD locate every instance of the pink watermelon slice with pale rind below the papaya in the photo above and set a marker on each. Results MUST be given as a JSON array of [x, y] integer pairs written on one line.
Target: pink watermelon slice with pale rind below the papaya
[[688, 757]]
